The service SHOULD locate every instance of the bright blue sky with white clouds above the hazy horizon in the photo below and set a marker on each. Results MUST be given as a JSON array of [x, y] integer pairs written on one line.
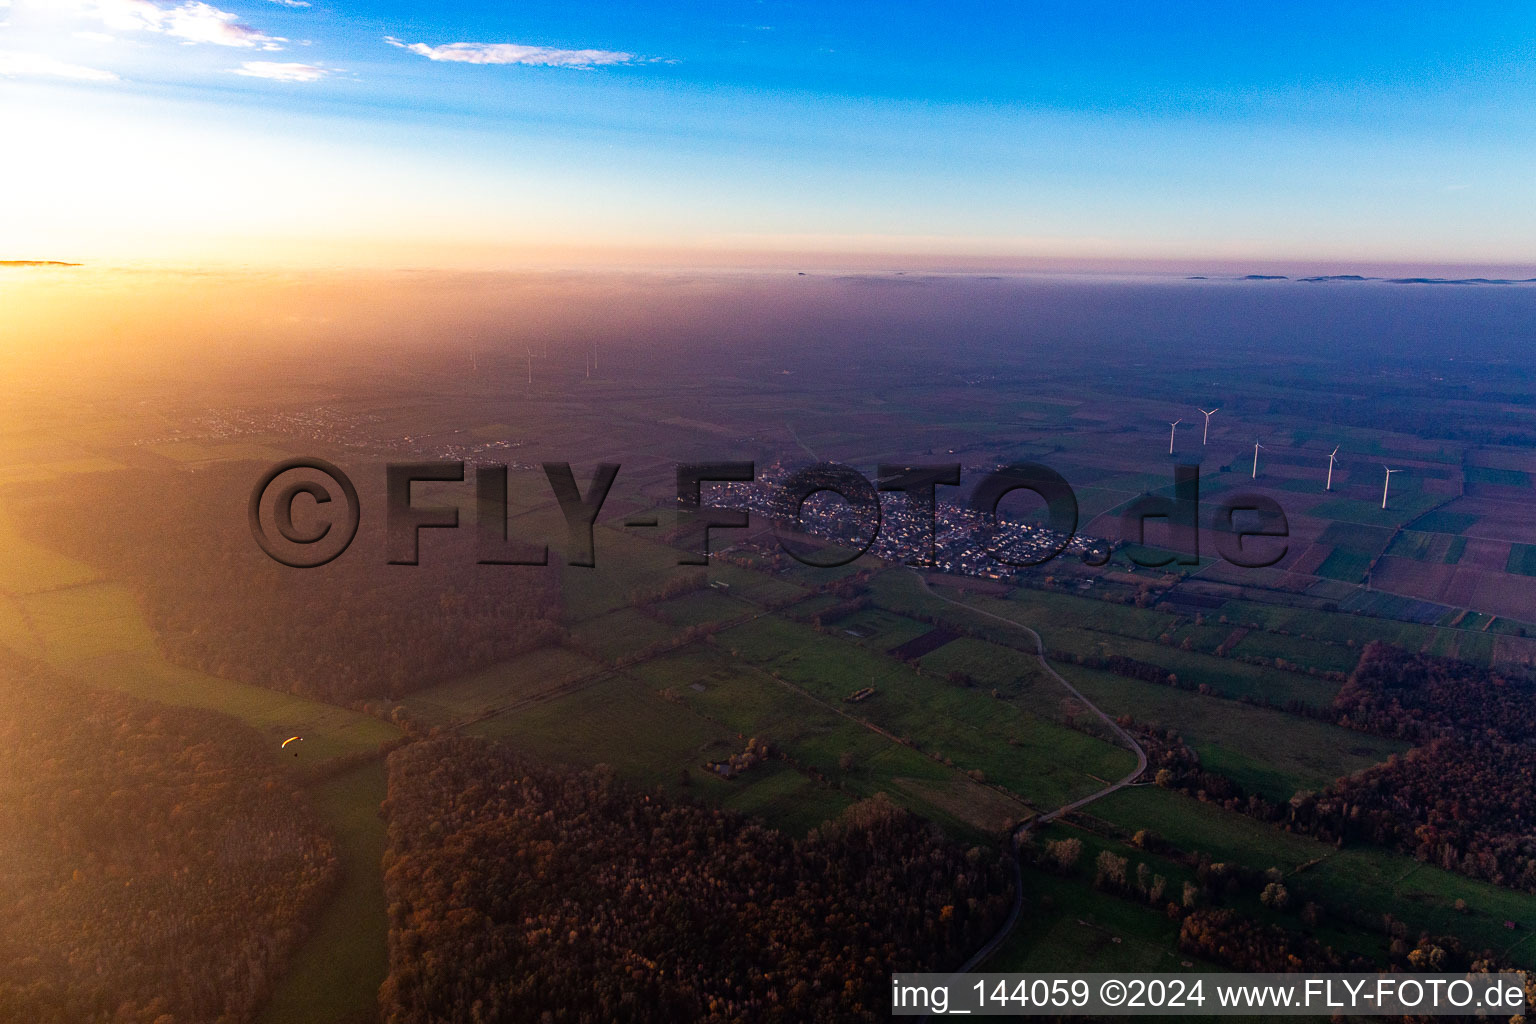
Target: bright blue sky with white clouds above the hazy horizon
[[482, 133]]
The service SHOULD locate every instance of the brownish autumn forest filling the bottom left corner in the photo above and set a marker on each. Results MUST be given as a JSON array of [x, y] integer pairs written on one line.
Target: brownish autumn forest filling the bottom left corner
[[154, 868]]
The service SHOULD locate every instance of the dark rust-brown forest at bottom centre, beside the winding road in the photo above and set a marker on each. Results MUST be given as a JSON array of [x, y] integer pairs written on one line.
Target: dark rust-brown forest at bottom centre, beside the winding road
[[525, 893]]
